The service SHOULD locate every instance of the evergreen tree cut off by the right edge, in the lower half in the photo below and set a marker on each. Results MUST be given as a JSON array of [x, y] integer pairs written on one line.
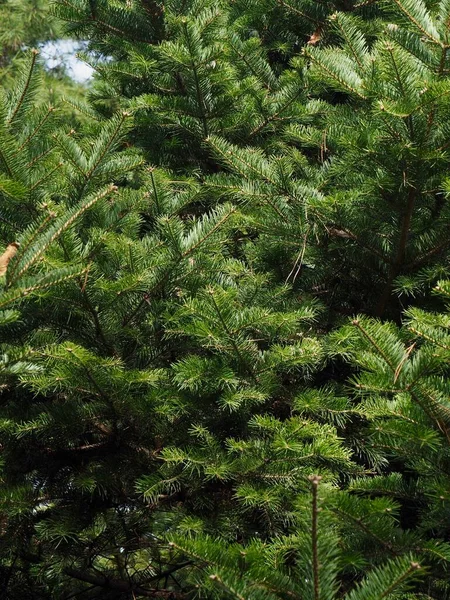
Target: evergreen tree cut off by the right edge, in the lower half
[[402, 385]]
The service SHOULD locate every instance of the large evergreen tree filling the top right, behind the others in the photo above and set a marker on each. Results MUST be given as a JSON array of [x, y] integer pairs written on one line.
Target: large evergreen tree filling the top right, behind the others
[[344, 146]]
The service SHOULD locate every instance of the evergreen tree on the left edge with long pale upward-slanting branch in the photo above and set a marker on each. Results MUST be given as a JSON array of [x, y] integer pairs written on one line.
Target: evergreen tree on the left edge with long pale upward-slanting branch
[[48, 184]]
